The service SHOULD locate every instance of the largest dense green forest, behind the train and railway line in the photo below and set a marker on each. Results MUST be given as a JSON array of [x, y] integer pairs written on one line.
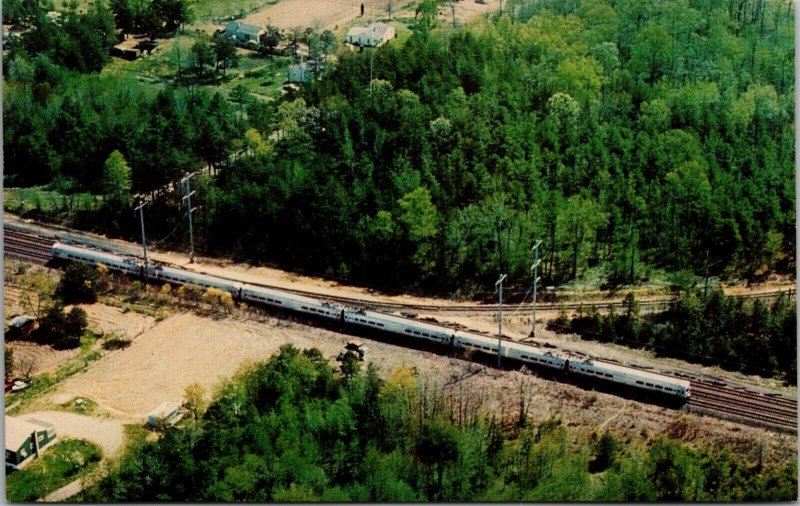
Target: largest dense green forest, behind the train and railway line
[[629, 136]]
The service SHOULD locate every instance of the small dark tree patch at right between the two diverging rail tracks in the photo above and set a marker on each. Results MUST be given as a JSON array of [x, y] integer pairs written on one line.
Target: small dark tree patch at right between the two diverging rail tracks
[[703, 327]]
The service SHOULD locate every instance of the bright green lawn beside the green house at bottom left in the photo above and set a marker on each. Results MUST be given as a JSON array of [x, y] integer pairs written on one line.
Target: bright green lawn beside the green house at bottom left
[[59, 465]]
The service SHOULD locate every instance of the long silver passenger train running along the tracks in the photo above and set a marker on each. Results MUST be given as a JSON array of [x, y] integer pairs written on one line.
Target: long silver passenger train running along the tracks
[[572, 364]]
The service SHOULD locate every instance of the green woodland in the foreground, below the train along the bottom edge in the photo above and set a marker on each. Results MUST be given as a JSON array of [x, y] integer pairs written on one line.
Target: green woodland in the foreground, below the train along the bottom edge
[[294, 429]]
